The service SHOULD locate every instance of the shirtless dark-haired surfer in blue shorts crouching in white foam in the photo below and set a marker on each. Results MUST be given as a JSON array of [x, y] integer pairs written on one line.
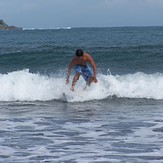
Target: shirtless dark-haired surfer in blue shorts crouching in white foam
[[81, 67]]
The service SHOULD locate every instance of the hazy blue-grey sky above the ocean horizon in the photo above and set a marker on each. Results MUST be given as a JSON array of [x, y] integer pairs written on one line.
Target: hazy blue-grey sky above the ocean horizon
[[81, 13]]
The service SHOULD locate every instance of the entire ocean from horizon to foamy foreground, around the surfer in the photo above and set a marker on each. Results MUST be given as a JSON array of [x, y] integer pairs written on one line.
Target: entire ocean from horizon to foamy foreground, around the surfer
[[118, 119]]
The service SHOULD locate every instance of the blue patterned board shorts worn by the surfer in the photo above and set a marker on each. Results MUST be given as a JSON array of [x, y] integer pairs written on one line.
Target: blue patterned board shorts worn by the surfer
[[85, 71]]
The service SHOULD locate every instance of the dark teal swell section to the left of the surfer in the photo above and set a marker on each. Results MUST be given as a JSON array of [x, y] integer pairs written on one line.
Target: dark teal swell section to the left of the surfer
[[43, 58]]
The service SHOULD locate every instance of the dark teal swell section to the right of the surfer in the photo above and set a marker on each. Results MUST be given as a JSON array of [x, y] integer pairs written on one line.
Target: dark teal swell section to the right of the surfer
[[130, 59]]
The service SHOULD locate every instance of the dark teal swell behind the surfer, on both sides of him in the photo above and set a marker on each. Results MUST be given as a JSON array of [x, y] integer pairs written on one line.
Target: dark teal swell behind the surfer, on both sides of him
[[49, 58]]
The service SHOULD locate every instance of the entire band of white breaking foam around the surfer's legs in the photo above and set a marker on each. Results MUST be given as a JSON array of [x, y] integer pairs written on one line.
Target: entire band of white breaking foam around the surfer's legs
[[26, 86]]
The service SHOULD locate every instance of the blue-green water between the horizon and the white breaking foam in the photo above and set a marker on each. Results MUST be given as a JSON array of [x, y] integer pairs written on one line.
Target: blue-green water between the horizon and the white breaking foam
[[123, 50]]
